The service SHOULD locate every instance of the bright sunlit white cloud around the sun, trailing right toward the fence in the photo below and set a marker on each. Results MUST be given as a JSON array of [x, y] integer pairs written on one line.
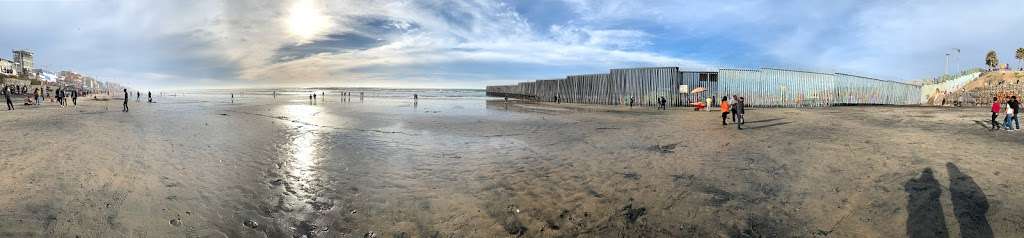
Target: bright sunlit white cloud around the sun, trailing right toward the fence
[[443, 32]]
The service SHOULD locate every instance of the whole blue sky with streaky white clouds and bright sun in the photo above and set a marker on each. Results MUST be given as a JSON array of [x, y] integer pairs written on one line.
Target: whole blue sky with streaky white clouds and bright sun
[[474, 44]]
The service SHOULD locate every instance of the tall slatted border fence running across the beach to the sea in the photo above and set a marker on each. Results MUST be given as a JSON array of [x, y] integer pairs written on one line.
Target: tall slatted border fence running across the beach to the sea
[[763, 88]]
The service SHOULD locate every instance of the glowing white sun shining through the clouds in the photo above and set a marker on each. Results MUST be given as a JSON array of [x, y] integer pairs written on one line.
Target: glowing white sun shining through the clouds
[[307, 21]]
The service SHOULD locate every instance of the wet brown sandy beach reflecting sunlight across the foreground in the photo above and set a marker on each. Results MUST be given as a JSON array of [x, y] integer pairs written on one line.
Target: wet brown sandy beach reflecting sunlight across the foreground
[[200, 167]]
